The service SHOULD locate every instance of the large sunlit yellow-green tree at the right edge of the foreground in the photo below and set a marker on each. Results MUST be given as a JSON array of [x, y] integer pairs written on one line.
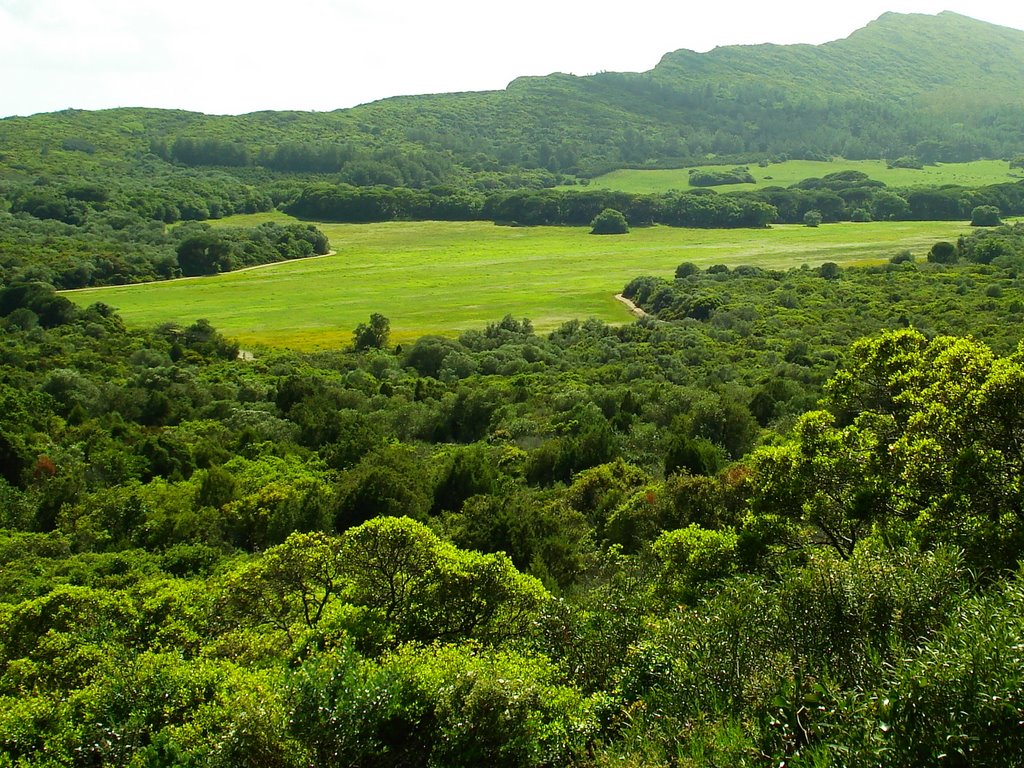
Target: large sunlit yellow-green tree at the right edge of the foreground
[[932, 441]]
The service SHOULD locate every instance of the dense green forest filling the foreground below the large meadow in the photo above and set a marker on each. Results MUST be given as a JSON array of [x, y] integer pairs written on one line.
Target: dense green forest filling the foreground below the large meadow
[[776, 522]]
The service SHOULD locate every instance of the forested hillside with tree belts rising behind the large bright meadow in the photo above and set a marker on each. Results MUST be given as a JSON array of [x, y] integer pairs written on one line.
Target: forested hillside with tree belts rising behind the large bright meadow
[[86, 197]]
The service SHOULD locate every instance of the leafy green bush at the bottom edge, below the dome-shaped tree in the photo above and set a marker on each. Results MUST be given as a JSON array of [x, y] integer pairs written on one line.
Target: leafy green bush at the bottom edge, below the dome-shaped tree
[[439, 707]]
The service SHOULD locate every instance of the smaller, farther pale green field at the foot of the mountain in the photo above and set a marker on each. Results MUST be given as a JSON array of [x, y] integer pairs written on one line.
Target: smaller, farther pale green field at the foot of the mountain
[[978, 174]]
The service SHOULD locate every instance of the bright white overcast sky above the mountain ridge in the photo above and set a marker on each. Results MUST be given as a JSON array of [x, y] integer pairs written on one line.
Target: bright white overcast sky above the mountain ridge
[[235, 57]]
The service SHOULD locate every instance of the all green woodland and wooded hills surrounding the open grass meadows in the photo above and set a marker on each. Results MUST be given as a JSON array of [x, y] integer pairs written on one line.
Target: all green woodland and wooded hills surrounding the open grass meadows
[[777, 521]]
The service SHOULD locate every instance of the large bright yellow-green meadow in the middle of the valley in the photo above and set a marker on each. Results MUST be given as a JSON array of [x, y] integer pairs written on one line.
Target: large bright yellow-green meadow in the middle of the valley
[[446, 278]]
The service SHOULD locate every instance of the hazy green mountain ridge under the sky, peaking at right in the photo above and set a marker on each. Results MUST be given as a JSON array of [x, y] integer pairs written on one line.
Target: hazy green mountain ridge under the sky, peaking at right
[[942, 88]]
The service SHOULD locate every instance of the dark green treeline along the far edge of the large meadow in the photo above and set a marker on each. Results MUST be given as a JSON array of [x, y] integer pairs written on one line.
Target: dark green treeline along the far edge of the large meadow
[[846, 196]]
